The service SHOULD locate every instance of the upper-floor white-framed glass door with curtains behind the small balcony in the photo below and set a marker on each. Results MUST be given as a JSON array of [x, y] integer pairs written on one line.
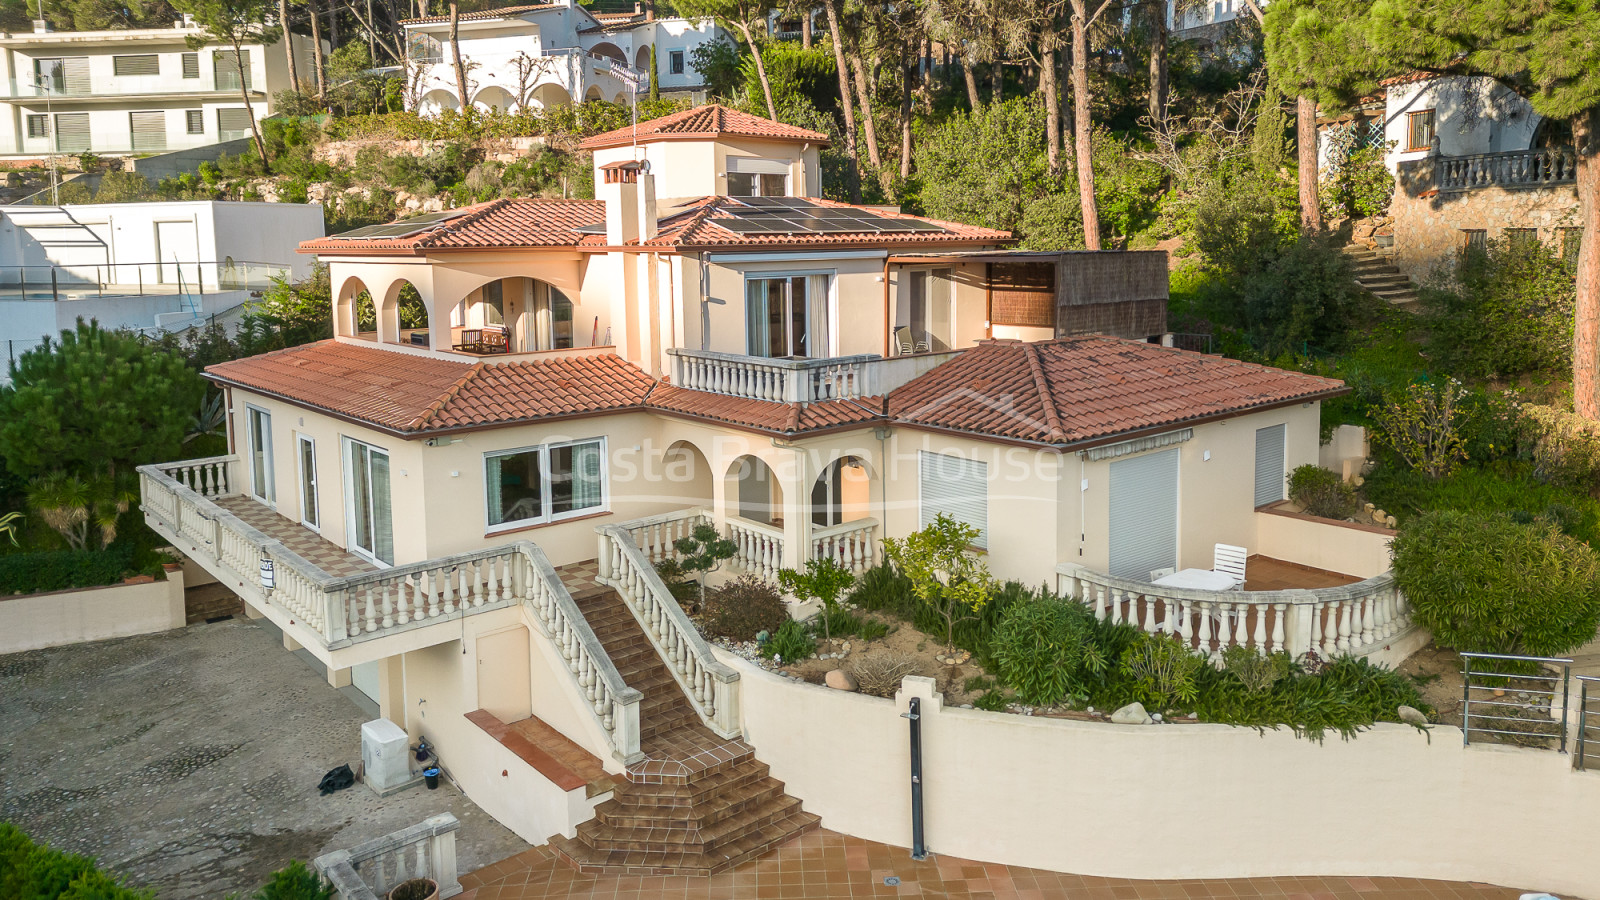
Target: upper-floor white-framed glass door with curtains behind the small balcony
[[790, 316]]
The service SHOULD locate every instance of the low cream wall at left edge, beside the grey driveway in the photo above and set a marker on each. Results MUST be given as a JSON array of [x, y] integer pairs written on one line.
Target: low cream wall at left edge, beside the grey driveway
[[92, 614]]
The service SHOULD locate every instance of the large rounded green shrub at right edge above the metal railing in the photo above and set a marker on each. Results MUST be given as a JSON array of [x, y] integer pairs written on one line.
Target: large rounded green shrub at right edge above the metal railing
[[1487, 584]]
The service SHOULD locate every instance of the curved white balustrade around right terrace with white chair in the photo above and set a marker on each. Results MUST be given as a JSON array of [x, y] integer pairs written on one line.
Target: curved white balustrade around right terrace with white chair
[[1330, 622]]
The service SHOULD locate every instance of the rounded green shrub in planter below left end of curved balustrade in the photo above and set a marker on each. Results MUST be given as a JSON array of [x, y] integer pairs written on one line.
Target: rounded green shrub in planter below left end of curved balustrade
[[1046, 649]]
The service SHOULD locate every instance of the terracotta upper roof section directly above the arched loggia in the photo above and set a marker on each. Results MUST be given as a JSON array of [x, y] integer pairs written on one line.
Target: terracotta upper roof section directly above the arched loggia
[[502, 225]]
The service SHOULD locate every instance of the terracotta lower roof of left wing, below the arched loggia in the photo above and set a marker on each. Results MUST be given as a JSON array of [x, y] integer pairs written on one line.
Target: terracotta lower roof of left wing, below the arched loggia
[[415, 395]]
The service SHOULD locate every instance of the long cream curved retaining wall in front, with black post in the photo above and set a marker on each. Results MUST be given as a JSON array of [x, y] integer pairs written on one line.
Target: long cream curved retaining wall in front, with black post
[[1178, 802]]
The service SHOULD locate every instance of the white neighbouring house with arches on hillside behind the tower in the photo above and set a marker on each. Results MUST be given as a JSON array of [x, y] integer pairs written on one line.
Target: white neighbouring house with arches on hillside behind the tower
[[551, 55]]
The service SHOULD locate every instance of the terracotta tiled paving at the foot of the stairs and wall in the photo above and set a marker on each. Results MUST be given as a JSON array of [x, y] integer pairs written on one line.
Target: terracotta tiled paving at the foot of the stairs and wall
[[825, 866]]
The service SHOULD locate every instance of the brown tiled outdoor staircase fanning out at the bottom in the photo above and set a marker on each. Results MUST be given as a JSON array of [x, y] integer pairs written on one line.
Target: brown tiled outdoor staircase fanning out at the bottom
[[698, 803]]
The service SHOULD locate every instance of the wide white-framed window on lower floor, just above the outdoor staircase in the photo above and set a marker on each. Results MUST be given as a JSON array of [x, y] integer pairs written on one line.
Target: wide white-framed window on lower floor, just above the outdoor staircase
[[545, 484]]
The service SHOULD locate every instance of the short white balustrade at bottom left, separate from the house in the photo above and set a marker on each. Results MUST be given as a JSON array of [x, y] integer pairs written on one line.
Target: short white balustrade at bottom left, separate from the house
[[372, 870]]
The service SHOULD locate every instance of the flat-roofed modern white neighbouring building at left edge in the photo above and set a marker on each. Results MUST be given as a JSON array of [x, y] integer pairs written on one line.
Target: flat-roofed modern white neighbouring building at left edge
[[151, 267]]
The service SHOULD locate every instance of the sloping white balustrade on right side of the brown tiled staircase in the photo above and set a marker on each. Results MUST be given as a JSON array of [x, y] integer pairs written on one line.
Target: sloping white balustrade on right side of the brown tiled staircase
[[708, 683]]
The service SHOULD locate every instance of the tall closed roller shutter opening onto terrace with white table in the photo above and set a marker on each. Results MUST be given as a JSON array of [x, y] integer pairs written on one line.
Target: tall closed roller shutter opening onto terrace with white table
[[1145, 515]]
